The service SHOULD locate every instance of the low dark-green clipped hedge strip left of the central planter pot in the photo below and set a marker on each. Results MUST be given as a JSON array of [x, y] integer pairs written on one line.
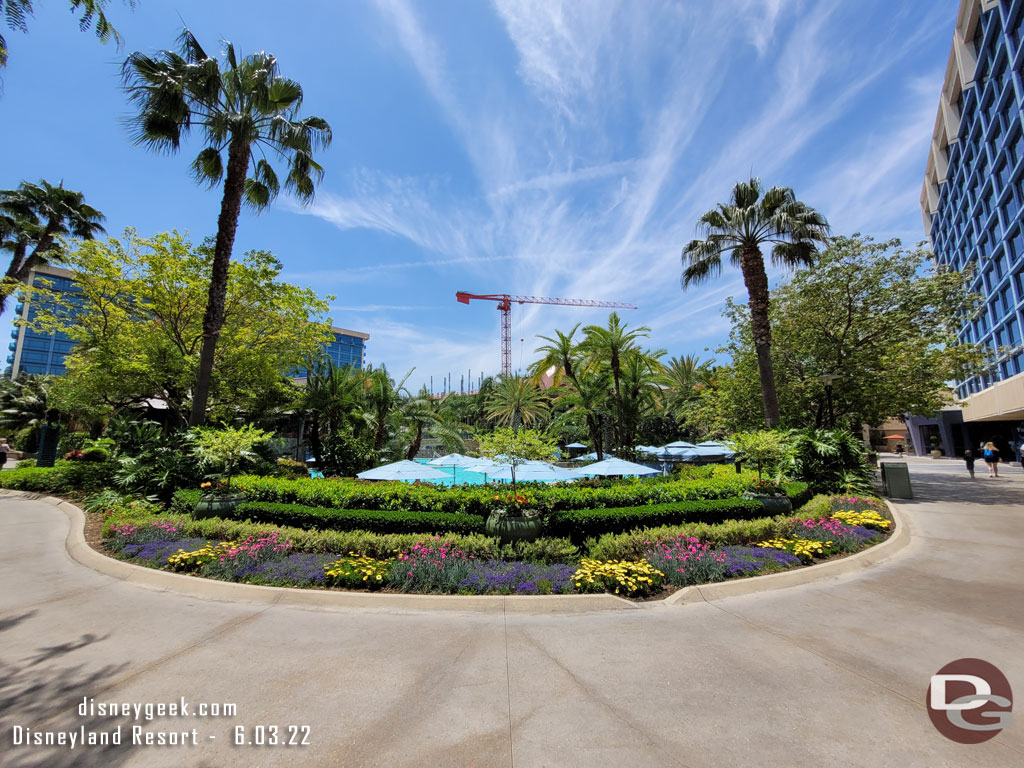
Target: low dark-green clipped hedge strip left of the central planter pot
[[381, 522]]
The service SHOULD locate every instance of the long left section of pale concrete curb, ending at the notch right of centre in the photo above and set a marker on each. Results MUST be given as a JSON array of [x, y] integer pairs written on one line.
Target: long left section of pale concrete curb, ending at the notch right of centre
[[209, 589]]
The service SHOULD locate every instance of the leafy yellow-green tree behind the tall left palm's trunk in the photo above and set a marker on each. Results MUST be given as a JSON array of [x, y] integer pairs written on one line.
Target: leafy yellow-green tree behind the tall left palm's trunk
[[139, 323]]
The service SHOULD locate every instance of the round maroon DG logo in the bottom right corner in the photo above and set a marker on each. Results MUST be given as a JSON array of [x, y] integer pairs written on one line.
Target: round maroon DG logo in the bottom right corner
[[970, 701]]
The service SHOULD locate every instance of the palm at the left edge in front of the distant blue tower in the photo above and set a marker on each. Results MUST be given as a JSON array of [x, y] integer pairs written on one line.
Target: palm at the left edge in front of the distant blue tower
[[33, 217]]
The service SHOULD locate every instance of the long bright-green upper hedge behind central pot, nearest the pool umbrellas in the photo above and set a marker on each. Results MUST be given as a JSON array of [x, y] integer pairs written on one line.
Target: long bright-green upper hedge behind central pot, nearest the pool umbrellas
[[723, 483]]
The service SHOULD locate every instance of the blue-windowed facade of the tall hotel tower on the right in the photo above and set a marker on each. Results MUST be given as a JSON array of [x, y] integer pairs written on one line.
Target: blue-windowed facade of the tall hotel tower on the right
[[974, 190]]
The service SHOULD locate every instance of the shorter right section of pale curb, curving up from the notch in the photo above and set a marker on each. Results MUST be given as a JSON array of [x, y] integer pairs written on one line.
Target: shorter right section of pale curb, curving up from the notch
[[852, 565]]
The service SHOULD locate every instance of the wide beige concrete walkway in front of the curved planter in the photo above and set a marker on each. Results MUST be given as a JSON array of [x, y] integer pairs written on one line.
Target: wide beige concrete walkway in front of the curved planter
[[832, 674]]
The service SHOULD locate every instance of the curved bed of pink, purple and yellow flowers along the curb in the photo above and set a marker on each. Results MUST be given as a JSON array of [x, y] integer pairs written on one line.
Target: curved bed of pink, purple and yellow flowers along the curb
[[476, 566]]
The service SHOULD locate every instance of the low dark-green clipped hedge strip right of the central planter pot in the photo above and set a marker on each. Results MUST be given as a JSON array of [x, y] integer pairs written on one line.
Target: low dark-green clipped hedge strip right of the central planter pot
[[588, 524]]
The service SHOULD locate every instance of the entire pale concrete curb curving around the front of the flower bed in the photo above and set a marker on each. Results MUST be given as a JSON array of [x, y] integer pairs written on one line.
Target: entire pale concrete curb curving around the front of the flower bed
[[209, 589]]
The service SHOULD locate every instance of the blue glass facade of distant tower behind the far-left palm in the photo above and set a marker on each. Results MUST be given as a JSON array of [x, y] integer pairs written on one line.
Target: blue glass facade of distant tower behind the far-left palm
[[39, 353]]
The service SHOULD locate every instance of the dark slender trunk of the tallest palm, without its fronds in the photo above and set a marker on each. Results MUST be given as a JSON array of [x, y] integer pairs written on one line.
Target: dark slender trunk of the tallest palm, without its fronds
[[214, 321]]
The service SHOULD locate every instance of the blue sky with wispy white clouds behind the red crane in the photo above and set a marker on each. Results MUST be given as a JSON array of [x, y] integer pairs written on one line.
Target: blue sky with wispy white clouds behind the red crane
[[532, 148]]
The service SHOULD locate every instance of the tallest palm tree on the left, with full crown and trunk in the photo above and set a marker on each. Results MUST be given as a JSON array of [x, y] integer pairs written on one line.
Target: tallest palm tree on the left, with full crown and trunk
[[245, 108]]
